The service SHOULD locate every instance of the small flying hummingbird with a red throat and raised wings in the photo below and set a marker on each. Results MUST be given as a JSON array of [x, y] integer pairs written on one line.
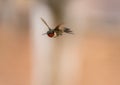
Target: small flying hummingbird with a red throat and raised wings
[[57, 31]]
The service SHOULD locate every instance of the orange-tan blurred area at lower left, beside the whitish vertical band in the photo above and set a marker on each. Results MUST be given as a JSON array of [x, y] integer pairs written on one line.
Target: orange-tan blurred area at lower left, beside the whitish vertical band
[[14, 57]]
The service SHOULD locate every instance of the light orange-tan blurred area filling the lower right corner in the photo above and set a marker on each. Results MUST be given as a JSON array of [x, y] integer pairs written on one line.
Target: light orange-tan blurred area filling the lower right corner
[[101, 63]]
